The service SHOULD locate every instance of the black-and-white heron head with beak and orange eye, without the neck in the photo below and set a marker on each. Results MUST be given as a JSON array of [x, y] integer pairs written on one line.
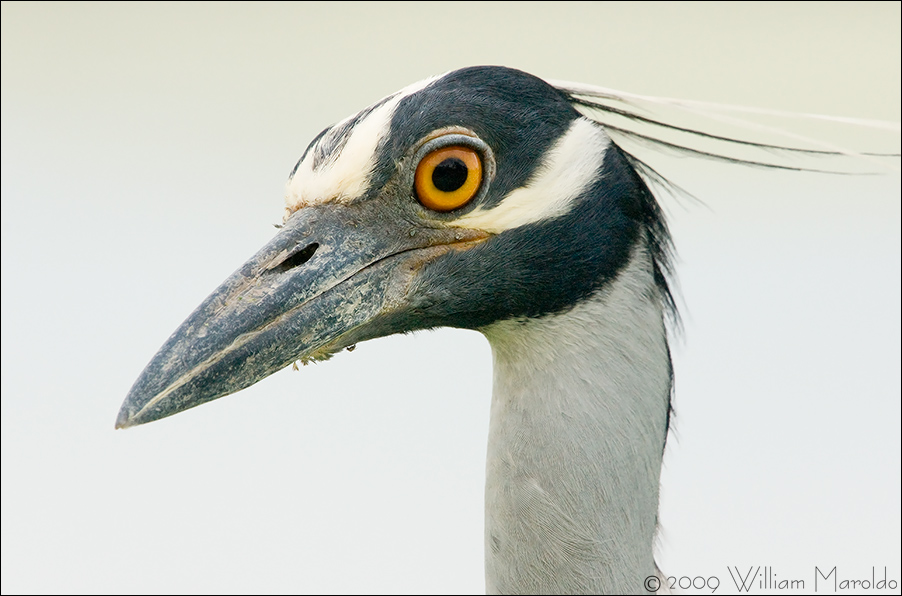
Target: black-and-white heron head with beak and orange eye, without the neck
[[474, 197]]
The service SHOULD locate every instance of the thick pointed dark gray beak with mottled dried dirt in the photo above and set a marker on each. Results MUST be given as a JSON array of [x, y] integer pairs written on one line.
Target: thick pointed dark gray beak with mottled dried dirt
[[331, 271]]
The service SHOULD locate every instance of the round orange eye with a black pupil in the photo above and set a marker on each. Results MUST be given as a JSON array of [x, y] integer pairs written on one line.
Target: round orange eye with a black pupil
[[448, 178]]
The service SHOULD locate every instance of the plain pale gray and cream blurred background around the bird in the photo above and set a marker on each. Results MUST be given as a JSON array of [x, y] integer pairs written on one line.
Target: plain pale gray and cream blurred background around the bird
[[145, 149]]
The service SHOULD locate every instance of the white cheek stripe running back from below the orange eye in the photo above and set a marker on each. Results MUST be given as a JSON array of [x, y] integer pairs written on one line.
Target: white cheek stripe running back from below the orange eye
[[569, 167]]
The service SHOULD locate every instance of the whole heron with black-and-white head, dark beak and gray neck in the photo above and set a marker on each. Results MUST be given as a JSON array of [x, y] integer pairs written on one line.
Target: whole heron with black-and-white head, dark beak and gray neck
[[481, 199]]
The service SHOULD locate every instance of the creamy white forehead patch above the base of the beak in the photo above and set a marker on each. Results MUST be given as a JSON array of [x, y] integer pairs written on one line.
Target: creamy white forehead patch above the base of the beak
[[346, 175]]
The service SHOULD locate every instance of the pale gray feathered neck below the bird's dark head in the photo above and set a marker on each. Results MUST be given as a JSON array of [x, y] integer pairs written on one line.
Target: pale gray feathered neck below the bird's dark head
[[578, 421]]
